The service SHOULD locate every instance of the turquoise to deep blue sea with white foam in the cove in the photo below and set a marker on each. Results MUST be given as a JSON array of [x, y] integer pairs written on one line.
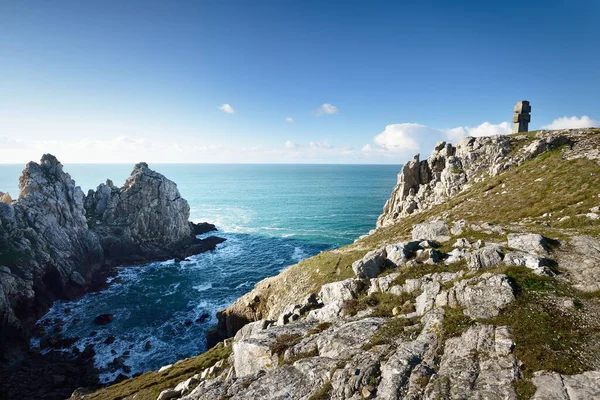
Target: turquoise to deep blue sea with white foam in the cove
[[272, 216]]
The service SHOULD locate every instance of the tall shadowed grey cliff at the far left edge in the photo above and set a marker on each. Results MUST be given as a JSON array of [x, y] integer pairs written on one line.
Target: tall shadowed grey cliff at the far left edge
[[46, 249]]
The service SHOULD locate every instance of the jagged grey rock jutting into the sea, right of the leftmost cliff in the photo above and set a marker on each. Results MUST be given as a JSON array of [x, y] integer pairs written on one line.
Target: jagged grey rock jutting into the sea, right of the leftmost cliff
[[146, 219]]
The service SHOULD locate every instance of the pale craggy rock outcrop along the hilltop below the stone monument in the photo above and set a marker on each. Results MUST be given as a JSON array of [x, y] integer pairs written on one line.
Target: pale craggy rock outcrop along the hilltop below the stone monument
[[451, 169]]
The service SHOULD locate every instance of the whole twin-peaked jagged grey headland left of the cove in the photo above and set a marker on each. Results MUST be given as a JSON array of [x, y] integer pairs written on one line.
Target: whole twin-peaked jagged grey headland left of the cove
[[52, 248]]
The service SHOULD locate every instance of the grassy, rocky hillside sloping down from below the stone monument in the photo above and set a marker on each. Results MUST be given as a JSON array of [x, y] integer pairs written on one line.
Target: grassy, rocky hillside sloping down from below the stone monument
[[481, 281]]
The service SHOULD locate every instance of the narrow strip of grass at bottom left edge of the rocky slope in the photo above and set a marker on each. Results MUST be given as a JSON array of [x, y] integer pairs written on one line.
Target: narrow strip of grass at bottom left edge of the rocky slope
[[150, 384]]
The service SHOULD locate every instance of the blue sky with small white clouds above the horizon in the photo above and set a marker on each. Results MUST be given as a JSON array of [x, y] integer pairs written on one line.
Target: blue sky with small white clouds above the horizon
[[286, 81]]
